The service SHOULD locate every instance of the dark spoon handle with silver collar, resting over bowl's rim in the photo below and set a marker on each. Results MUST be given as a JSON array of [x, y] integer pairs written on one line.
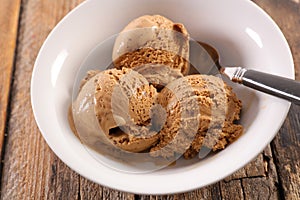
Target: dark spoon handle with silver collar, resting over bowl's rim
[[285, 88]]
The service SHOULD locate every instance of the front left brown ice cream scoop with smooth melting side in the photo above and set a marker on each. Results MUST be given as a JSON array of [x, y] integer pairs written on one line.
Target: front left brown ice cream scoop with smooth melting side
[[114, 107]]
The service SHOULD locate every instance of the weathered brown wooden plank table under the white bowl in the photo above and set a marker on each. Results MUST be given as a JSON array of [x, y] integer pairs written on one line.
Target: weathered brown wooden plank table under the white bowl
[[30, 170]]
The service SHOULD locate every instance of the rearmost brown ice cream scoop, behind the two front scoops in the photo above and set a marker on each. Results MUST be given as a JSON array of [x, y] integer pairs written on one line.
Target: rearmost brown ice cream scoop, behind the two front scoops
[[156, 40]]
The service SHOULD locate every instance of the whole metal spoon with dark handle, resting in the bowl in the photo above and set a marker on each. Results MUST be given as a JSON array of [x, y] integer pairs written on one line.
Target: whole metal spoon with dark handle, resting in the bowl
[[282, 87]]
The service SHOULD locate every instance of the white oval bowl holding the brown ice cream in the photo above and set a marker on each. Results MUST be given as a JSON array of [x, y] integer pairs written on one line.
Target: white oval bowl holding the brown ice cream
[[242, 32]]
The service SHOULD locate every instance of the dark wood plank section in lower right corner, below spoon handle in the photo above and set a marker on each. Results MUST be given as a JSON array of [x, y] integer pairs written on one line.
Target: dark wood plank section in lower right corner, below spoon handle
[[286, 149]]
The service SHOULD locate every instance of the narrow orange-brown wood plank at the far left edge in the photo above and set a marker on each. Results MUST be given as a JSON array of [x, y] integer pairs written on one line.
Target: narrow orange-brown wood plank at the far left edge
[[9, 20]]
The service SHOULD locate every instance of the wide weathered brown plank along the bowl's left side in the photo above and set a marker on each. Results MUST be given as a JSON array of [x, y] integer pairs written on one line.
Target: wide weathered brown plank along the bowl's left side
[[31, 170]]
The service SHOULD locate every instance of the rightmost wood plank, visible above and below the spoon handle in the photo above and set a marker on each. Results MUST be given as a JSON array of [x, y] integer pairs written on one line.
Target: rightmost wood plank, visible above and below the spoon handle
[[286, 144]]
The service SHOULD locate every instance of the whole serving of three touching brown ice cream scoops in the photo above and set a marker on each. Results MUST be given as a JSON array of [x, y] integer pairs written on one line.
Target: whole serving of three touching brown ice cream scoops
[[149, 103]]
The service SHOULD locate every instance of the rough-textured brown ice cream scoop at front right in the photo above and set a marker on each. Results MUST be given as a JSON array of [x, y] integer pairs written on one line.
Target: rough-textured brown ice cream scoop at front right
[[201, 110]]
